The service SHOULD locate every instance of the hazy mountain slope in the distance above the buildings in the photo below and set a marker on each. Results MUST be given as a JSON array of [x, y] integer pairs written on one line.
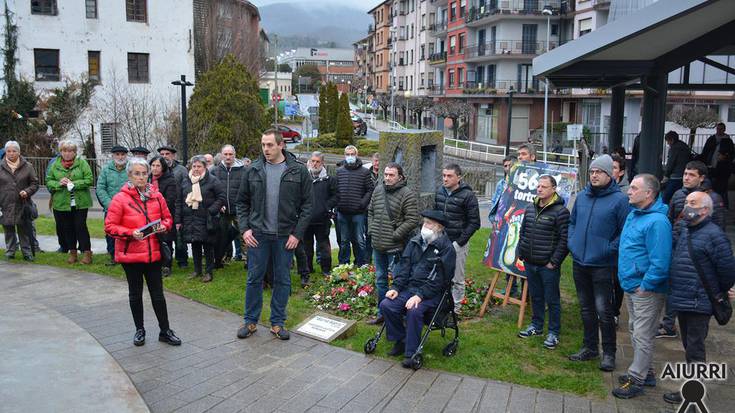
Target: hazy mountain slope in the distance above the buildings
[[303, 25]]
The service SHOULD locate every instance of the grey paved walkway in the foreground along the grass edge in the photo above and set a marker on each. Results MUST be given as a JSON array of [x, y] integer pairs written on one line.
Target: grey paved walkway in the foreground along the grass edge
[[213, 371]]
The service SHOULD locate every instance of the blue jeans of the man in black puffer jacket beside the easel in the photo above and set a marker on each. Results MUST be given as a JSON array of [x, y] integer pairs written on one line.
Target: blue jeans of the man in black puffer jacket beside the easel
[[543, 285]]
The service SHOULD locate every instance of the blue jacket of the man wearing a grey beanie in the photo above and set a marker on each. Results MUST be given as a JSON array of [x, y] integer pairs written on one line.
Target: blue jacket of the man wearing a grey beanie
[[594, 227]]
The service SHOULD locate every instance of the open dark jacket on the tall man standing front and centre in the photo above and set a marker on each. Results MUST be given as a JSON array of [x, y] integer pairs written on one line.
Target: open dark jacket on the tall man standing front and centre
[[294, 202]]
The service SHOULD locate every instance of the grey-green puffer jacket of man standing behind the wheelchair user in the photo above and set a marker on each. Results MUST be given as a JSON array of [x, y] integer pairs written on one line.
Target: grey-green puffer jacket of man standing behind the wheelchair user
[[389, 232]]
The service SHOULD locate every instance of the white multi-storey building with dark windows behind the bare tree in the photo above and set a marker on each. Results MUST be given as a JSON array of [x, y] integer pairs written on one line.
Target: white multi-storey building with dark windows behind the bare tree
[[137, 46]]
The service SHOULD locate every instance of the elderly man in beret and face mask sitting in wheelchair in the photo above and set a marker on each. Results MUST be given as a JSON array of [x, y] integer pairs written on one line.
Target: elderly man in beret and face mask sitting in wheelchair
[[425, 271]]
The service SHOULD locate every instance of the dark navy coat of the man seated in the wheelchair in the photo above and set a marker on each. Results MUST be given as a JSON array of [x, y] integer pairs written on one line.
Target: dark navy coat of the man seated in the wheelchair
[[426, 272]]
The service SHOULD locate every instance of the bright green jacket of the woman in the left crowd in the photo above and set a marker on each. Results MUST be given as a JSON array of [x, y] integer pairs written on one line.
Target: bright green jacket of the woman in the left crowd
[[80, 174]]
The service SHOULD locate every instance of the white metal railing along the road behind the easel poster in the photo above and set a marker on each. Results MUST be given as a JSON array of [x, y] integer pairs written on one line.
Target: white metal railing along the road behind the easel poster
[[485, 152]]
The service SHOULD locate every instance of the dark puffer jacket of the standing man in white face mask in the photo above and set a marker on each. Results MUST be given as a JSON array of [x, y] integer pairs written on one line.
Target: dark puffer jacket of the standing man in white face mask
[[354, 188]]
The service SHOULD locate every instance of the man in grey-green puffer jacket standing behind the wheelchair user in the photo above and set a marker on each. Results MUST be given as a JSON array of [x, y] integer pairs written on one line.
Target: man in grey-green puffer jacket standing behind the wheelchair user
[[392, 217]]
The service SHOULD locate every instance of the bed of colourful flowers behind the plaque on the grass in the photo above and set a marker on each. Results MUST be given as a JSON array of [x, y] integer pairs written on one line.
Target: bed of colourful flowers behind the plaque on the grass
[[349, 292]]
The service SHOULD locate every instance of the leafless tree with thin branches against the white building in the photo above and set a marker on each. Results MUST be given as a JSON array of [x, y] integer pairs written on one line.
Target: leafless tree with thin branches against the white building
[[136, 111]]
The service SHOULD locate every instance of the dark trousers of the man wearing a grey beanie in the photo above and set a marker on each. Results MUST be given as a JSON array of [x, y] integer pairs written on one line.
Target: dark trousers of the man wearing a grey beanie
[[595, 293]]
